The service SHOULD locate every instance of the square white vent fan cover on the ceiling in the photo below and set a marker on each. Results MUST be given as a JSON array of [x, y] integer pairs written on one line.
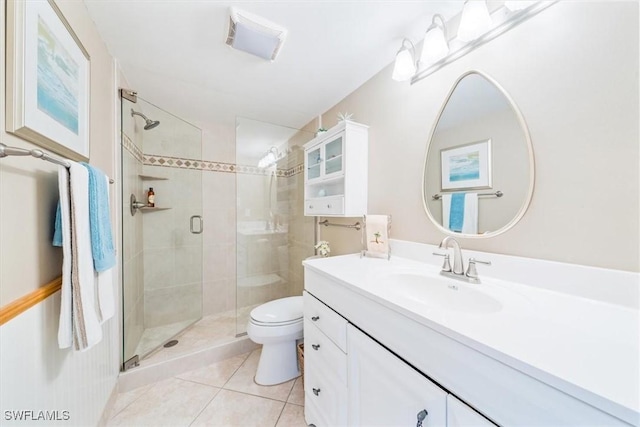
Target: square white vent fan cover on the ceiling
[[255, 35]]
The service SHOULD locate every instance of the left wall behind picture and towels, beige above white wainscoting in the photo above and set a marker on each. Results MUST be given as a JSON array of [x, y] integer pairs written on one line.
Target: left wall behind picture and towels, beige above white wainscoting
[[35, 374]]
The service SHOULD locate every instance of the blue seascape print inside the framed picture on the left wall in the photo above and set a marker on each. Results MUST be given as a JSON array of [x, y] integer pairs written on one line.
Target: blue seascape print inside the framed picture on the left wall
[[58, 89]]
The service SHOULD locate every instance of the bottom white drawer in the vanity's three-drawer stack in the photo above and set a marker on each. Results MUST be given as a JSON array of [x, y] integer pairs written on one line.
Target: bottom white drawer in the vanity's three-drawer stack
[[326, 398]]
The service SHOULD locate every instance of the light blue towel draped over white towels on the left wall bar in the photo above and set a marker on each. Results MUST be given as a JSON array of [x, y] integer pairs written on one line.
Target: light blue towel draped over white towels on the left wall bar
[[102, 249]]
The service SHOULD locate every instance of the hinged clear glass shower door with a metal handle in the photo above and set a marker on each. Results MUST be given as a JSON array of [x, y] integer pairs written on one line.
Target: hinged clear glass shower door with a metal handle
[[162, 245]]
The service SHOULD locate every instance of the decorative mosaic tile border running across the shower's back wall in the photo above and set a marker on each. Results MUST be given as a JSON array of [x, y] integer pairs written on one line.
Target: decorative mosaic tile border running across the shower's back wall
[[205, 165]]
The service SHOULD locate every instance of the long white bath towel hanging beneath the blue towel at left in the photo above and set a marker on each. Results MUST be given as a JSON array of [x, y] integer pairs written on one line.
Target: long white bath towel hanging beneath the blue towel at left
[[79, 325]]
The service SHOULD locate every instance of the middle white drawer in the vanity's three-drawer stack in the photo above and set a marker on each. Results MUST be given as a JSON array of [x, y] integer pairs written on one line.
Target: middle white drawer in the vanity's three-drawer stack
[[321, 353]]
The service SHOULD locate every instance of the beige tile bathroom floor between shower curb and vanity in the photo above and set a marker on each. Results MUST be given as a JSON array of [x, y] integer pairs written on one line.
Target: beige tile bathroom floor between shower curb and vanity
[[221, 394]]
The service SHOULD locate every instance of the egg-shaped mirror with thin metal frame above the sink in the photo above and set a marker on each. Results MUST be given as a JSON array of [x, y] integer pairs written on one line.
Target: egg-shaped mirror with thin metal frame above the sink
[[479, 170]]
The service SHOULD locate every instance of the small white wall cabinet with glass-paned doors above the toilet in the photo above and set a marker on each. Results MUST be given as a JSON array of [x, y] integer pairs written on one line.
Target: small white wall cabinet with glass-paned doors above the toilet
[[335, 171]]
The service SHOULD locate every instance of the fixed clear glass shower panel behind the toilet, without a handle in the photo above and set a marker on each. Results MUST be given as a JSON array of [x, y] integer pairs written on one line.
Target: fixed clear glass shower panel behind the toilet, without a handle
[[273, 235]]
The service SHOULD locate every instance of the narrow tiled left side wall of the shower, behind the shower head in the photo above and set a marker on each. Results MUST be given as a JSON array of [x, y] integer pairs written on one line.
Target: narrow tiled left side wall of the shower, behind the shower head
[[133, 259]]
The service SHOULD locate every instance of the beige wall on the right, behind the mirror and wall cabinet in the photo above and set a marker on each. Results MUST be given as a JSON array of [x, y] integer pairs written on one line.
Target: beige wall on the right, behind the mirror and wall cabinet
[[577, 89]]
